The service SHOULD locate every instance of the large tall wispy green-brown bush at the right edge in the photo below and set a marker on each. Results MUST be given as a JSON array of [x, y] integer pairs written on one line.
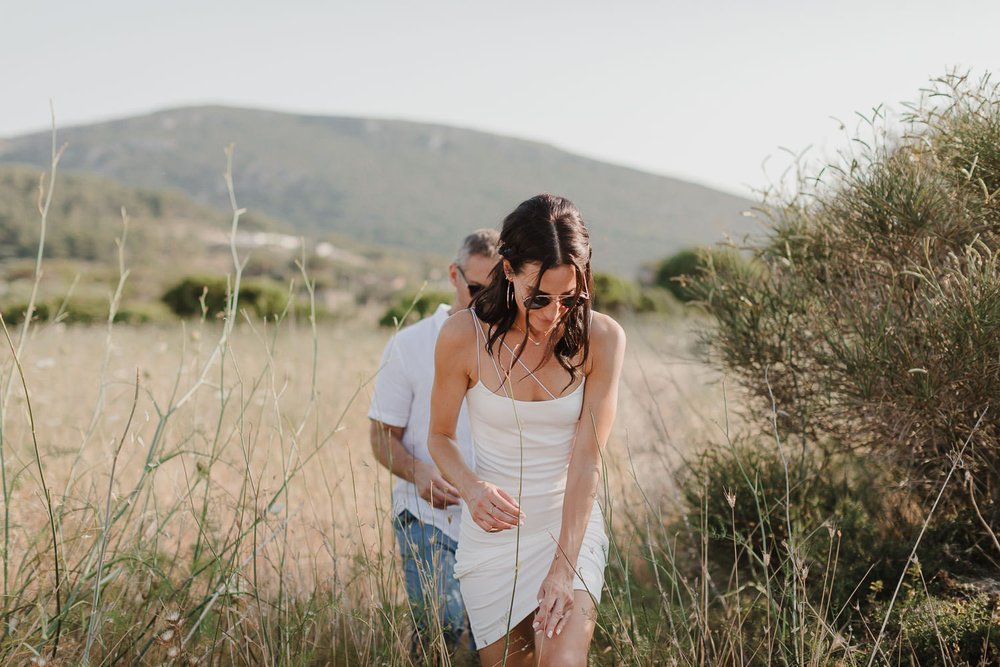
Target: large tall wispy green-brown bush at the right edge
[[871, 315]]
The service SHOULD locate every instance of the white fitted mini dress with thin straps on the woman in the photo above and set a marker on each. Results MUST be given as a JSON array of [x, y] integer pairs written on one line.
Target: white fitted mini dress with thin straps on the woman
[[524, 448]]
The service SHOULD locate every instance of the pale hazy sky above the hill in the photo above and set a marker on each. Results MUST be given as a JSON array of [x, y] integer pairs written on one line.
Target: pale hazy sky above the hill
[[699, 91]]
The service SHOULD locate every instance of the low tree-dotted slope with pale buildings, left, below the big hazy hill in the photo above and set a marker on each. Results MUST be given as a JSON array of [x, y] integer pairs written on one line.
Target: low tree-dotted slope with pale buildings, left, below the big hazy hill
[[171, 236]]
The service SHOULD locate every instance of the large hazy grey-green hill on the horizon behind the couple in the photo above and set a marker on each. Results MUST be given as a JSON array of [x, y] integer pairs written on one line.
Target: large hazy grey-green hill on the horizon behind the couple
[[399, 183]]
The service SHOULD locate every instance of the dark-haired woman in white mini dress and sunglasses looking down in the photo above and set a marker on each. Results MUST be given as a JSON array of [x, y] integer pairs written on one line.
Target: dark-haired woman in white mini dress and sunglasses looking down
[[539, 371]]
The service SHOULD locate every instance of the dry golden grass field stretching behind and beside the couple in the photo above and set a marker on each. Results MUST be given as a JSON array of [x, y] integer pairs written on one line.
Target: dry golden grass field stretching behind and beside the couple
[[243, 485]]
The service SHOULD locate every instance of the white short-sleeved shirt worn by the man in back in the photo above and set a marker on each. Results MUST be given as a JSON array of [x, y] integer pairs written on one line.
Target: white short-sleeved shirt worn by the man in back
[[402, 398]]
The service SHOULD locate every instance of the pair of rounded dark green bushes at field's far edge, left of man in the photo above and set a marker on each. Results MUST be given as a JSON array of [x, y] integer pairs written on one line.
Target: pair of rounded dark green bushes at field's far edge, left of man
[[194, 295]]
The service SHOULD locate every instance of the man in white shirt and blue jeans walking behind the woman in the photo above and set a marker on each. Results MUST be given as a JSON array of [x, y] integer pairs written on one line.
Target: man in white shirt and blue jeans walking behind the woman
[[425, 506]]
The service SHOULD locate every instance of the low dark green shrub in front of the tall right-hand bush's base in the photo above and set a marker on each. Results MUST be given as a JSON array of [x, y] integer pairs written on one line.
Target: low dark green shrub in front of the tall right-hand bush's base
[[795, 510]]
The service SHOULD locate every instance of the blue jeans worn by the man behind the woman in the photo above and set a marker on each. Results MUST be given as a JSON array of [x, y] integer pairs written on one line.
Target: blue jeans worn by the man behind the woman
[[429, 567]]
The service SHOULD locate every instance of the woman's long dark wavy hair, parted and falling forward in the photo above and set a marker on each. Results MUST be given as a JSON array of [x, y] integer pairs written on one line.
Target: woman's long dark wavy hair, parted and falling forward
[[547, 230]]
